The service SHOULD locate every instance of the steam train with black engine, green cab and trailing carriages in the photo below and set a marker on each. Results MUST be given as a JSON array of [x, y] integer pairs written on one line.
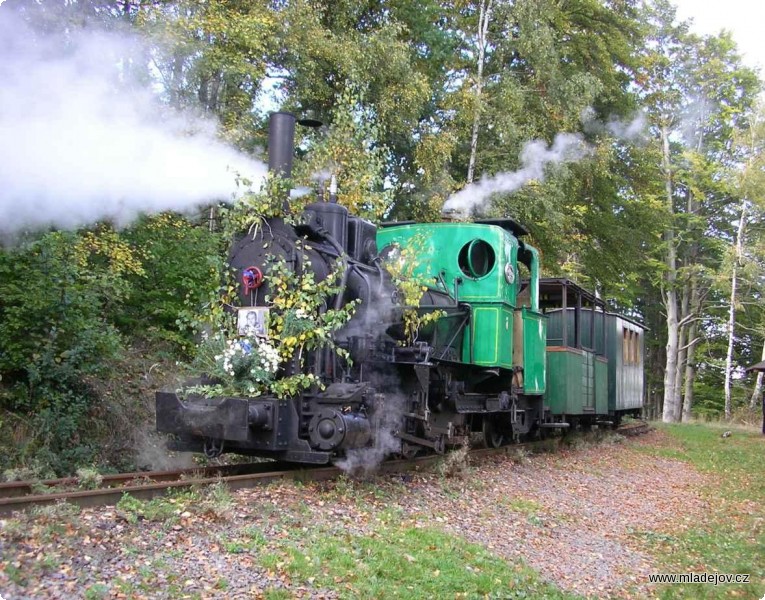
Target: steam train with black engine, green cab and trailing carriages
[[510, 355]]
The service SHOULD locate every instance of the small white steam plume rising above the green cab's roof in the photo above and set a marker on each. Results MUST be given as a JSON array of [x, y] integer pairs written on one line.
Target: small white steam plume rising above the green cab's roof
[[535, 156]]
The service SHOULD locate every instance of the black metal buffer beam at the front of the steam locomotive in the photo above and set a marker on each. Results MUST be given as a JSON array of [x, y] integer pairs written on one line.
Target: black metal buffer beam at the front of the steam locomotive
[[216, 418]]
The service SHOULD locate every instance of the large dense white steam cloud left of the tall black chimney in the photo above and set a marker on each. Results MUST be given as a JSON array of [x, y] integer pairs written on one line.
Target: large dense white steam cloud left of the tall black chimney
[[79, 144]]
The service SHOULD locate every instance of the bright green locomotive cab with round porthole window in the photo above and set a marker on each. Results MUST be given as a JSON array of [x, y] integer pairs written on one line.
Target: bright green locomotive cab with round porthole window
[[477, 263]]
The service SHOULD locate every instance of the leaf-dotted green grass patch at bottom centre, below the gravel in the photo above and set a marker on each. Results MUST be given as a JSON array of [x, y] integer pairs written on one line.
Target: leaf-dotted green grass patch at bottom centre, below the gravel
[[407, 563]]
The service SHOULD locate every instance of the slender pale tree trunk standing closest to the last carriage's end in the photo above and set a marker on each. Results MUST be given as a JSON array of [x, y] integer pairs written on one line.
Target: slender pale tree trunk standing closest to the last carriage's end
[[670, 412]]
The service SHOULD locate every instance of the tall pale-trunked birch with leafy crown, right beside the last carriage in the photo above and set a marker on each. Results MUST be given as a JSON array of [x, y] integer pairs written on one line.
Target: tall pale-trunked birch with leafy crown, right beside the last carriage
[[697, 94]]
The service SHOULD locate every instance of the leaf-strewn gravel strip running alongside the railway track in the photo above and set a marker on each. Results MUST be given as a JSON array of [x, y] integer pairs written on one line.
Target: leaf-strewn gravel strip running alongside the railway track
[[579, 517]]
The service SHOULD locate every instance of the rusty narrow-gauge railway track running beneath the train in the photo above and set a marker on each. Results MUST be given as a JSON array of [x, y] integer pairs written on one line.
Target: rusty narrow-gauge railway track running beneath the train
[[15, 496]]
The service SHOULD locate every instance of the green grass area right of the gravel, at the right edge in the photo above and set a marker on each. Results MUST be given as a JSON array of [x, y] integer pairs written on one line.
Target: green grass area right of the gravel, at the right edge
[[731, 538]]
